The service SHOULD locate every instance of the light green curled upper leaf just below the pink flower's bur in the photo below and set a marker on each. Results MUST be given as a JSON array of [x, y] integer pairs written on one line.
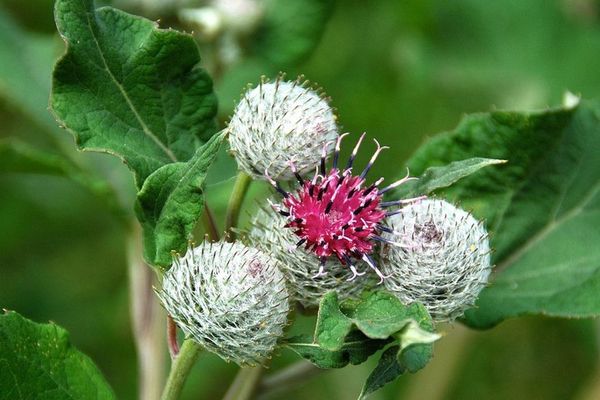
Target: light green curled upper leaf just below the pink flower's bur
[[378, 315]]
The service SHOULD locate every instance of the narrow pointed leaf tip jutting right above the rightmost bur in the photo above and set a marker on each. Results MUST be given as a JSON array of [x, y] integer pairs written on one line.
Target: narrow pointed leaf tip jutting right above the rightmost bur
[[440, 177]]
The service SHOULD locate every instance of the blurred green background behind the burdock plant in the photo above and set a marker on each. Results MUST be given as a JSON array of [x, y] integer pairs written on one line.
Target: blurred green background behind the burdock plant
[[399, 70]]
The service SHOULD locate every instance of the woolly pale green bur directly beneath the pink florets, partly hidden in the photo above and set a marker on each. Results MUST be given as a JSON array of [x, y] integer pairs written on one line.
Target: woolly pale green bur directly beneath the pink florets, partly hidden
[[298, 265]]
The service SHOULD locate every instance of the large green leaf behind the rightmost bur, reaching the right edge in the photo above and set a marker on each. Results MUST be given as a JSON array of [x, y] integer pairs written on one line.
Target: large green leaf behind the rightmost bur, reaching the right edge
[[543, 207]]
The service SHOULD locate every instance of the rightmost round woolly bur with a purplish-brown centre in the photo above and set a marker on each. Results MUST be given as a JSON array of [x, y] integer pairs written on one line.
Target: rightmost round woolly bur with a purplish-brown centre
[[440, 257]]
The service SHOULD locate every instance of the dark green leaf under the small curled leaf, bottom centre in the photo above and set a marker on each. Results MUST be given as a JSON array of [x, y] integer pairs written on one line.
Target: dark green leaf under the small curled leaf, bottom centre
[[355, 349]]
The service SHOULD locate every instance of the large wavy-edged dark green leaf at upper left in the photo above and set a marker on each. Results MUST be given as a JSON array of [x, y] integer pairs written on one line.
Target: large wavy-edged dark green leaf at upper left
[[127, 88]]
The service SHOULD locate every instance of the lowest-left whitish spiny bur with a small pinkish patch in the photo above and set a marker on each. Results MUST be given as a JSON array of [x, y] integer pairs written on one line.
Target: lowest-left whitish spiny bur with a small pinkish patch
[[230, 298]]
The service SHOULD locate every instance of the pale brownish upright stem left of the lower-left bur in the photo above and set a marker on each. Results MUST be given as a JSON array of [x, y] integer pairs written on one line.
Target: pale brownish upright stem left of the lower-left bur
[[147, 319]]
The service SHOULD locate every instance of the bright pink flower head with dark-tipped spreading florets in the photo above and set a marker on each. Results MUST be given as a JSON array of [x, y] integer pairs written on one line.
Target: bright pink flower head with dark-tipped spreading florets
[[337, 213]]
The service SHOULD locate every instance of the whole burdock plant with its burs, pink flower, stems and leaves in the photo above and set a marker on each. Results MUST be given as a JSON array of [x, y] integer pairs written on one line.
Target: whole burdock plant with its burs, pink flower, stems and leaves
[[382, 264]]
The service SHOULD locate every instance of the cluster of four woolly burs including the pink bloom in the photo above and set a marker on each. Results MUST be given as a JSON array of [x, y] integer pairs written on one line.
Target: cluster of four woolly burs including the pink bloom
[[329, 228]]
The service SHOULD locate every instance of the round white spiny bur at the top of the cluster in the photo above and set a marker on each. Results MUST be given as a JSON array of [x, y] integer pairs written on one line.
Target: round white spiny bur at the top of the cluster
[[278, 121]]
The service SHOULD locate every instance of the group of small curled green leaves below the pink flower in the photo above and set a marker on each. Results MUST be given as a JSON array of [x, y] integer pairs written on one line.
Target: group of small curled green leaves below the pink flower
[[350, 332]]
